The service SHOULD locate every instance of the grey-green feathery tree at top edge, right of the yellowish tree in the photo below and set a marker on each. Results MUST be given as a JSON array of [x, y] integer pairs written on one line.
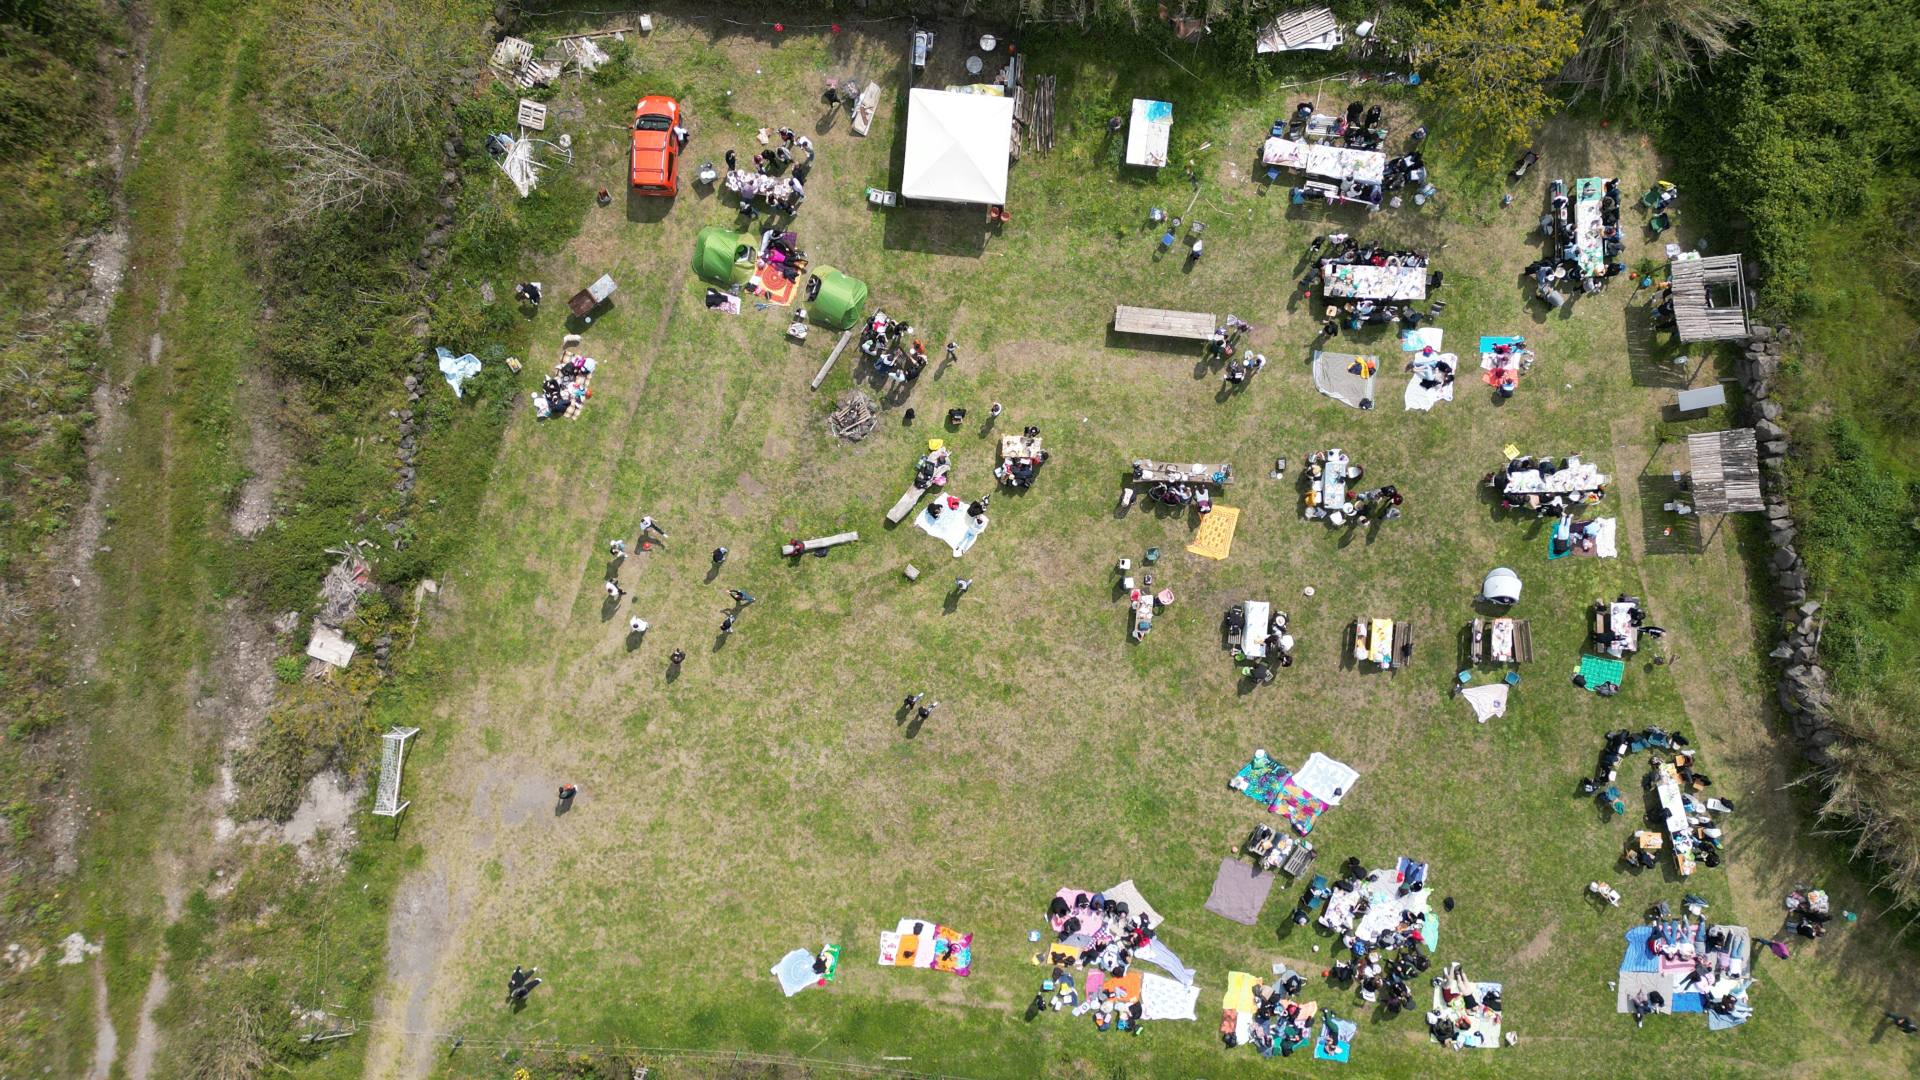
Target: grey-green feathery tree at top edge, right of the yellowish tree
[[1652, 47]]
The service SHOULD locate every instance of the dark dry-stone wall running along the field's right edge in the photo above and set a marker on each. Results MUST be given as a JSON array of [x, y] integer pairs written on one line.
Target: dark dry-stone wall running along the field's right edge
[[1804, 685]]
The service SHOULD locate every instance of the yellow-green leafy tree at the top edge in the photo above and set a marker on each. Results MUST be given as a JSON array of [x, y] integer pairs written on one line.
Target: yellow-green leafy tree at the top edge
[[1491, 64]]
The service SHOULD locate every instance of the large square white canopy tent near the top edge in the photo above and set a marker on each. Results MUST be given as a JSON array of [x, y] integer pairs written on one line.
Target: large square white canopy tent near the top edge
[[957, 147]]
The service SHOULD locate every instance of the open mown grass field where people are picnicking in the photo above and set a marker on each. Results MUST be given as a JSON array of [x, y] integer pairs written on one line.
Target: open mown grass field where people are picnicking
[[771, 797]]
